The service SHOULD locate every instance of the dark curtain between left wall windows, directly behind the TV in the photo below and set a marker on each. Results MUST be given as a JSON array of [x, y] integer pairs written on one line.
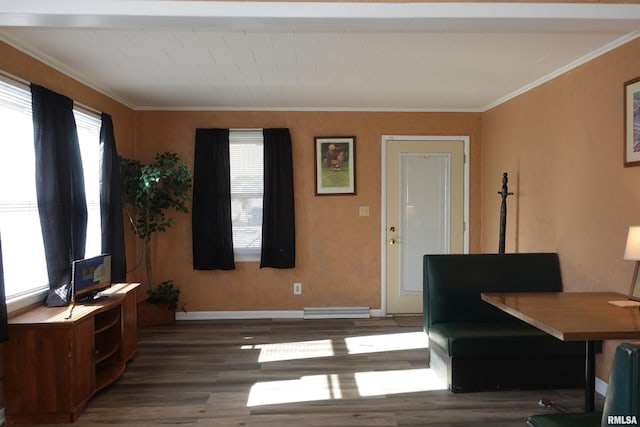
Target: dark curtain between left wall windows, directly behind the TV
[[59, 183]]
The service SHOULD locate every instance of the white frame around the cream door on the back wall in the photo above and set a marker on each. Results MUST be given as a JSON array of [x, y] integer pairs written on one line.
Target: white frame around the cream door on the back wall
[[386, 139]]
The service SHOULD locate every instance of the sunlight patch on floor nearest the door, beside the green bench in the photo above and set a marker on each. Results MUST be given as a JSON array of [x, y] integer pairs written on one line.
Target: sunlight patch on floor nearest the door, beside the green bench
[[387, 342]]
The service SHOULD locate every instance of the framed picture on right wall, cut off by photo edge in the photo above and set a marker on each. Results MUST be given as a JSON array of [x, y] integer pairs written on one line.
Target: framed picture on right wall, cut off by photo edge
[[632, 122]]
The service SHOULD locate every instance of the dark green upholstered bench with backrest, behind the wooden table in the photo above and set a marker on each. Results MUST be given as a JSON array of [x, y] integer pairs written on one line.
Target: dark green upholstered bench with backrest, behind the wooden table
[[477, 347]]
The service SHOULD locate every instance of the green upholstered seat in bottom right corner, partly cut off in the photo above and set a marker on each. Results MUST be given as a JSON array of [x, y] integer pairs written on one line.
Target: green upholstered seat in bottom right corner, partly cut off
[[621, 404]]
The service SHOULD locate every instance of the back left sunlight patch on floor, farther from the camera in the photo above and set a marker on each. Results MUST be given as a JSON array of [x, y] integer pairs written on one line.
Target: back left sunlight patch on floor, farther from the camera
[[292, 350]]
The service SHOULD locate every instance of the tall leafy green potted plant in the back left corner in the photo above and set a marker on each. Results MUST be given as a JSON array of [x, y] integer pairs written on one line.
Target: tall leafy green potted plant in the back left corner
[[149, 192]]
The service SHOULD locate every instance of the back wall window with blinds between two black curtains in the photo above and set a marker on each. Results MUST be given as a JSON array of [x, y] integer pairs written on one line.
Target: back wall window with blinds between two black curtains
[[247, 184]]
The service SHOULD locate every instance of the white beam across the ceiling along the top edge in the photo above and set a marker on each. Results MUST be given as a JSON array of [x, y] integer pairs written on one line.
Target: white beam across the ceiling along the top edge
[[227, 15]]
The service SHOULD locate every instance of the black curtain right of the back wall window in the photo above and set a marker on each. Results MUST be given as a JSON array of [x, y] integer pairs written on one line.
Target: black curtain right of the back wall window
[[278, 219]]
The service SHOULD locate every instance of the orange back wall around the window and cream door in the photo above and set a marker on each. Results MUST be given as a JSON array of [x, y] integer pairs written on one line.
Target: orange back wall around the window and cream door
[[338, 252]]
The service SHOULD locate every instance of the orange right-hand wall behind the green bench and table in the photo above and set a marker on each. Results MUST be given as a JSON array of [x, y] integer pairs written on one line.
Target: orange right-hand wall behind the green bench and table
[[562, 146]]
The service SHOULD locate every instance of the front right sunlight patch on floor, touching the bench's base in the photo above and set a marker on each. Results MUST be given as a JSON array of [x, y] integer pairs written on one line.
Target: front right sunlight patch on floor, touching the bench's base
[[398, 381]]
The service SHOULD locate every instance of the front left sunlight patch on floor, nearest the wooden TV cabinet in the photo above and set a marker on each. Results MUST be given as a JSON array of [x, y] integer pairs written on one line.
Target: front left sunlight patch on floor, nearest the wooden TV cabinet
[[305, 389]]
